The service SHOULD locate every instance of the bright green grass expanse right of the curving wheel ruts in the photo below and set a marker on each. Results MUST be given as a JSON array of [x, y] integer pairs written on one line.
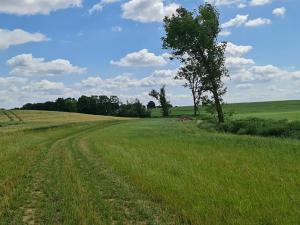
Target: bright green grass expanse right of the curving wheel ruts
[[206, 177]]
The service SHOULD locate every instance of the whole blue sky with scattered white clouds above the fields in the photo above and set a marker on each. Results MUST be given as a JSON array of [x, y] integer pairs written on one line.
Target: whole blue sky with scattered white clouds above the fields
[[69, 48]]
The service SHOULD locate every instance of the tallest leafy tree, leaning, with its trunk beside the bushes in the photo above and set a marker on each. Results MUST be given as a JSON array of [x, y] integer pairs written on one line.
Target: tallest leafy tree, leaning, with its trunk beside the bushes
[[193, 37]]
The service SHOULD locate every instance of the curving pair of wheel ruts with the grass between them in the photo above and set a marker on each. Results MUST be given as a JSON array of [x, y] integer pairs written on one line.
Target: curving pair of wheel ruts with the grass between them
[[72, 185]]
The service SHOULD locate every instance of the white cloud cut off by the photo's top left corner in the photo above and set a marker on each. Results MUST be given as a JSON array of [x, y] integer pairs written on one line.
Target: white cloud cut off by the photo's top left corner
[[31, 7]]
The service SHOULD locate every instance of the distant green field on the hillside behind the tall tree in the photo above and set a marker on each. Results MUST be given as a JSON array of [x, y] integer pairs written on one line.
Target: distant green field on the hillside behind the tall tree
[[269, 110]]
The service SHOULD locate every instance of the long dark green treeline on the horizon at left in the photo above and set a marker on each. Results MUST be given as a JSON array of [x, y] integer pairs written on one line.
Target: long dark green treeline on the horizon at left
[[96, 105]]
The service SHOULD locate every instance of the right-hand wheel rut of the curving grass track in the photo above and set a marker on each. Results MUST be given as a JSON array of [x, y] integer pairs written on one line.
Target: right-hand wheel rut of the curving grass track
[[128, 206]]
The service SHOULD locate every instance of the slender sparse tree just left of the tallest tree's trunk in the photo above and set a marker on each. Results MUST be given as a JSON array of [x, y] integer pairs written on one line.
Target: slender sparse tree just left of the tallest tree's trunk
[[192, 73]]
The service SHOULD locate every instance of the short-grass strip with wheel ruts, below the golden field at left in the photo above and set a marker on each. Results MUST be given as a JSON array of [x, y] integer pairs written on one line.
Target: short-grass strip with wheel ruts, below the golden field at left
[[52, 177]]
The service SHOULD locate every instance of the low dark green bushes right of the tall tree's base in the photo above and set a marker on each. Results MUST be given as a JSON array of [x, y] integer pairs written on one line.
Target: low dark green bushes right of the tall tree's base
[[262, 127]]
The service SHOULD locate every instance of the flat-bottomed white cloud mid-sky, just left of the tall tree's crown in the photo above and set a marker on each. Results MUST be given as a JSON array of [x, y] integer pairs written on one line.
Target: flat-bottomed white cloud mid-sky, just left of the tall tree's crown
[[142, 58]]
